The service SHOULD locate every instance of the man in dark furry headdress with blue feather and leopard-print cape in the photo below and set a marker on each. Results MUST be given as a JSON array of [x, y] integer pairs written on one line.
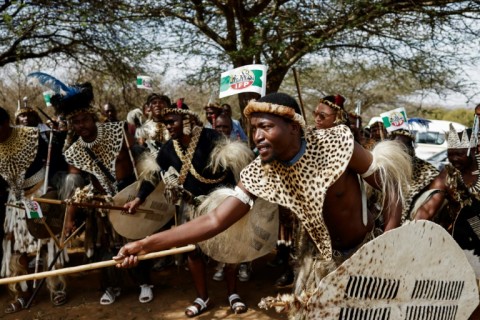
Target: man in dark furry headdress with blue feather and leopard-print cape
[[100, 151]]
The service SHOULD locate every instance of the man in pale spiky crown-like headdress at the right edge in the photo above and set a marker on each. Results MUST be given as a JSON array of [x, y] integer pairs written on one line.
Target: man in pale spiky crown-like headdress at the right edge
[[455, 200]]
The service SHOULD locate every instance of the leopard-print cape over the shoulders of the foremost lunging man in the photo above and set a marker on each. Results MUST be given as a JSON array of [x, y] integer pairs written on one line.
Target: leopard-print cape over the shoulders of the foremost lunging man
[[302, 186]]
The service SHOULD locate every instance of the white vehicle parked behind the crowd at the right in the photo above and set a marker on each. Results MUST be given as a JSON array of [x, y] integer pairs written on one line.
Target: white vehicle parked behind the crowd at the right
[[431, 140]]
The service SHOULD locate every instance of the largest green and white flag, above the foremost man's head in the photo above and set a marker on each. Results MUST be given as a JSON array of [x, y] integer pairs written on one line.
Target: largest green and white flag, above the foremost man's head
[[250, 78]]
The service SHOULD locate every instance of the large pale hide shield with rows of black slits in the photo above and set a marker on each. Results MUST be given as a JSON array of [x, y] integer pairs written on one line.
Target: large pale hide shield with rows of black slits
[[414, 272]]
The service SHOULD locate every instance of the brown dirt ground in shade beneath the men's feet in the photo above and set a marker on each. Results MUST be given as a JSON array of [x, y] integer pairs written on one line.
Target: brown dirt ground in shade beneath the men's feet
[[173, 292]]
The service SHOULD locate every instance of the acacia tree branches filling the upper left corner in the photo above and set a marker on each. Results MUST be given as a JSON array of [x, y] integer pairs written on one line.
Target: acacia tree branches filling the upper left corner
[[97, 34]]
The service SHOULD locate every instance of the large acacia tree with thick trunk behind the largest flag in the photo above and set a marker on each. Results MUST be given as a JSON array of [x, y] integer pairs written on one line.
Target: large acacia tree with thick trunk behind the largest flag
[[422, 37]]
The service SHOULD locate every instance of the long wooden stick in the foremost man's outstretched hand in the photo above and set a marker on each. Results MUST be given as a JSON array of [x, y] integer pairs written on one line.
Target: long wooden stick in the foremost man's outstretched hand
[[92, 266]]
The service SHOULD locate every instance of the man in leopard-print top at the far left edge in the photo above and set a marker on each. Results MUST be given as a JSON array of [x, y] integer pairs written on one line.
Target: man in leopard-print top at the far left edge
[[23, 154]]
